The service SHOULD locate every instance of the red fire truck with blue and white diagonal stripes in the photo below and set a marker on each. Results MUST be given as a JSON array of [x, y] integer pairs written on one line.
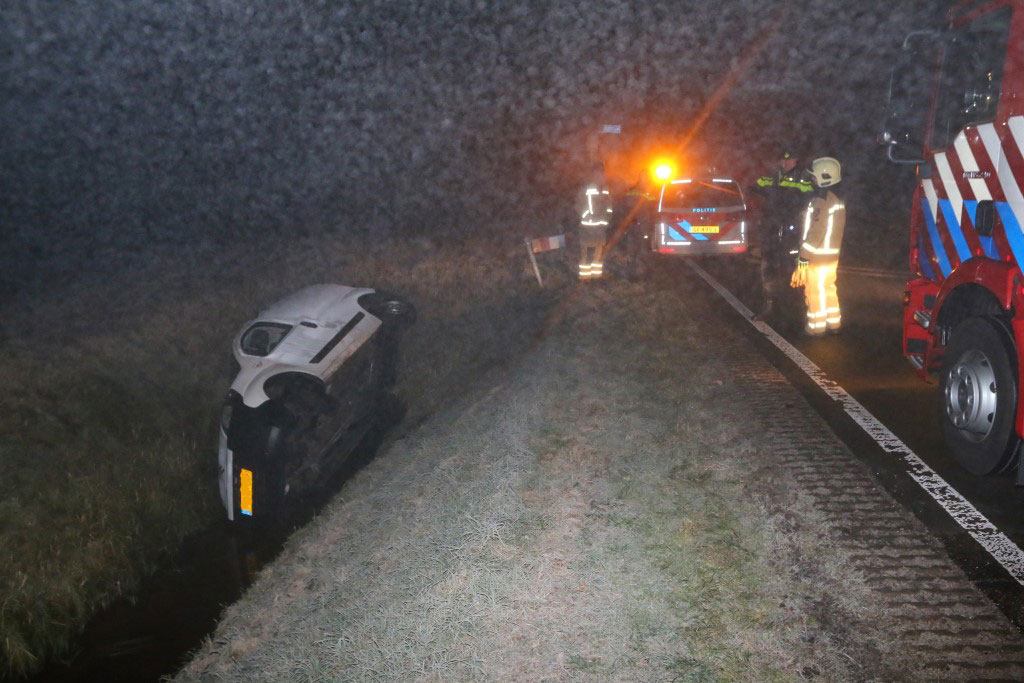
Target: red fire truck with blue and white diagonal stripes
[[957, 114]]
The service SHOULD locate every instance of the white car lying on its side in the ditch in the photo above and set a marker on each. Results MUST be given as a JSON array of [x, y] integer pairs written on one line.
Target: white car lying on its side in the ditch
[[315, 372]]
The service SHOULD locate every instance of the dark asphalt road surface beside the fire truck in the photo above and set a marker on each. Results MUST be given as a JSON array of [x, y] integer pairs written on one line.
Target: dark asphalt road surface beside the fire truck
[[867, 362]]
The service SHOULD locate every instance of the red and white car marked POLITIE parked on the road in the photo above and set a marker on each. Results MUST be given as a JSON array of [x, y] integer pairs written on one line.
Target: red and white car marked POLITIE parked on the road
[[698, 217]]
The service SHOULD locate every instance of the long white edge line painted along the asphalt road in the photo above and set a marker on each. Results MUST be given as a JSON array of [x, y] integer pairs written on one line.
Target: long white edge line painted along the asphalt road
[[982, 530]]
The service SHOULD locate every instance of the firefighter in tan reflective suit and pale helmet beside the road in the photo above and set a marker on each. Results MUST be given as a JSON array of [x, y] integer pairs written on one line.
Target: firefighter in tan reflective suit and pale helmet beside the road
[[819, 259]]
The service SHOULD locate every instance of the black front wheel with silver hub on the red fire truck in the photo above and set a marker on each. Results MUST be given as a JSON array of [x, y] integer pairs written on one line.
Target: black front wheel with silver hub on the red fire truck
[[978, 397]]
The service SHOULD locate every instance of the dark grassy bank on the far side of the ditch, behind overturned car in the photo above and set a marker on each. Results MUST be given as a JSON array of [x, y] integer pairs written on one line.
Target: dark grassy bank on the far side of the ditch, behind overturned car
[[112, 393]]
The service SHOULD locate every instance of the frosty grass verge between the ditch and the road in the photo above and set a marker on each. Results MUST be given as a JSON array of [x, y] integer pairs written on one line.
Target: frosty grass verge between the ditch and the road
[[598, 511]]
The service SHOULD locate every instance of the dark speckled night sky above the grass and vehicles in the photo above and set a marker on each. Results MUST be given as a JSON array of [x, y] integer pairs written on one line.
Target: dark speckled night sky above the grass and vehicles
[[134, 125]]
